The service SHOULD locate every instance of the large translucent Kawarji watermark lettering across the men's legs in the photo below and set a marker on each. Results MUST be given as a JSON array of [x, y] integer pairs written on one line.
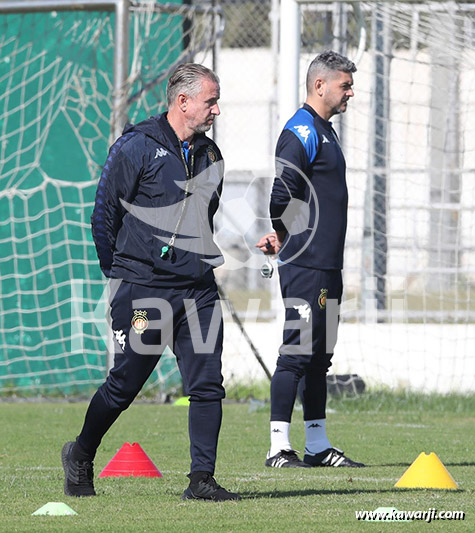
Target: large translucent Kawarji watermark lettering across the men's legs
[[86, 314]]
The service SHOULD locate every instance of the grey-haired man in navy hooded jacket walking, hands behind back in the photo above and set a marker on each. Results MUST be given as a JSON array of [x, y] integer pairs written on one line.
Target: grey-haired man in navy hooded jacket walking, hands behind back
[[164, 293]]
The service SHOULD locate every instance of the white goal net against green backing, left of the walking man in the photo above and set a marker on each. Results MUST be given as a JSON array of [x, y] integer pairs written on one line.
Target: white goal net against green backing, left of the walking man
[[56, 93]]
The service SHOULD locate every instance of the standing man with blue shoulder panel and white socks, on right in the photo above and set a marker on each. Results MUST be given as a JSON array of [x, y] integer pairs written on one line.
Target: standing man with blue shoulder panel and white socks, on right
[[311, 169]]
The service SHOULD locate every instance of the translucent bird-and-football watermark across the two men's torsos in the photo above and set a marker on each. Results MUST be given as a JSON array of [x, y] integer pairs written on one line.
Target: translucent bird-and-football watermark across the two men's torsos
[[240, 222]]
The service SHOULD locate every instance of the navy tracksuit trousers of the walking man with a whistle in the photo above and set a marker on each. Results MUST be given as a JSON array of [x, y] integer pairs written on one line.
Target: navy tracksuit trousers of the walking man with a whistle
[[189, 321]]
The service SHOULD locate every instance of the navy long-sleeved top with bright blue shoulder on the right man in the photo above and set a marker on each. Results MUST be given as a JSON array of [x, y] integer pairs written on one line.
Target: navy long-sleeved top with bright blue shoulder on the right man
[[311, 168]]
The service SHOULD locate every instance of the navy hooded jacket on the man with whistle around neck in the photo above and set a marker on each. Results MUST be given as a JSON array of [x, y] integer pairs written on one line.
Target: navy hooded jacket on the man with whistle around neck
[[139, 206]]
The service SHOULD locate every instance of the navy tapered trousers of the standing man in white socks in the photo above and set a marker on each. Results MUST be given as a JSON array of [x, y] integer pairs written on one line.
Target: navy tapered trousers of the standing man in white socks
[[311, 299]]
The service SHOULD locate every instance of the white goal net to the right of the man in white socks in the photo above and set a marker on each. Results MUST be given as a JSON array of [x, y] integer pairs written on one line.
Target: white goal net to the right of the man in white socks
[[409, 142]]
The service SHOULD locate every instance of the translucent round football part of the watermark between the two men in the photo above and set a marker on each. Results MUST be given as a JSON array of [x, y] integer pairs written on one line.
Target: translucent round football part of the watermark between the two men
[[244, 217]]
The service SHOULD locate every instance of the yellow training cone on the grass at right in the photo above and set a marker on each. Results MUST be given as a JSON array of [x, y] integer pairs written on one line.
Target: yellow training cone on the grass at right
[[427, 472]]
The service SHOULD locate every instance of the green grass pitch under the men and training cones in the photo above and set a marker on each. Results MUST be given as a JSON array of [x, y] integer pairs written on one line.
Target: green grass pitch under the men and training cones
[[386, 432]]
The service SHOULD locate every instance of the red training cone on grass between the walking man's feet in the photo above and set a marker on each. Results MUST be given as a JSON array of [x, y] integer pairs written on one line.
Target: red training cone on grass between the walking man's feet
[[130, 460]]
